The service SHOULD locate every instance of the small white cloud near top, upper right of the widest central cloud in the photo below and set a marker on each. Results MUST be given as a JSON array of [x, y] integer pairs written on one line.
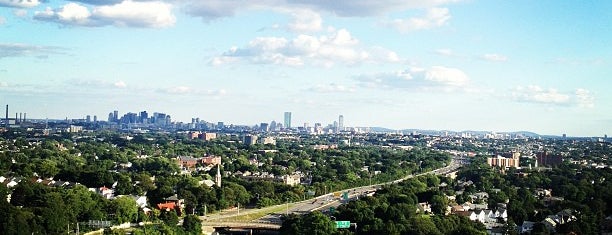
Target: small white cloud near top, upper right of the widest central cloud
[[435, 17]]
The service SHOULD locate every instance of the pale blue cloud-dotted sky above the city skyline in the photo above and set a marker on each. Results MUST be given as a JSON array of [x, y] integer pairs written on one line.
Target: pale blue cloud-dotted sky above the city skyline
[[495, 65]]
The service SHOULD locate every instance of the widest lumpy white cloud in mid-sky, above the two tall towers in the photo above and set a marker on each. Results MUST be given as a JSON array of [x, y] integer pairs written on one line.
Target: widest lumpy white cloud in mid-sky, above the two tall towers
[[328, 50]]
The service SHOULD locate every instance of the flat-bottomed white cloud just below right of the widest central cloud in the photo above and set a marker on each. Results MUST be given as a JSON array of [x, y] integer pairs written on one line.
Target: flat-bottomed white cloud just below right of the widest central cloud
[[435, 77]]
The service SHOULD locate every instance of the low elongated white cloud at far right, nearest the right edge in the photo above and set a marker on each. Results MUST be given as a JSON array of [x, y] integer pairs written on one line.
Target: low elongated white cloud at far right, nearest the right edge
[[536, 94]]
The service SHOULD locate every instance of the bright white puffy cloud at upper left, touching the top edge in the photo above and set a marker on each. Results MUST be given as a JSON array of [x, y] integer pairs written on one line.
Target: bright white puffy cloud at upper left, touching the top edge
[[128, 13]]
